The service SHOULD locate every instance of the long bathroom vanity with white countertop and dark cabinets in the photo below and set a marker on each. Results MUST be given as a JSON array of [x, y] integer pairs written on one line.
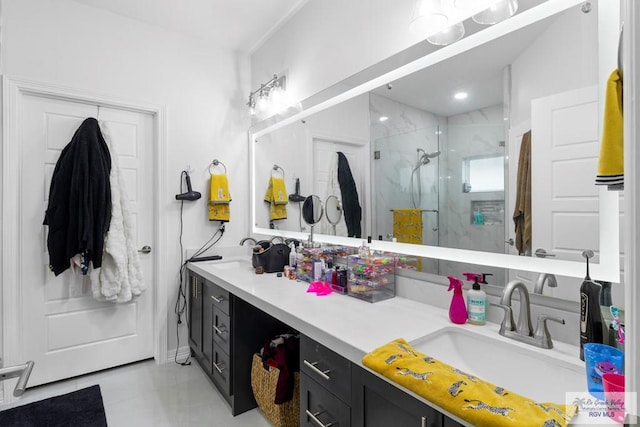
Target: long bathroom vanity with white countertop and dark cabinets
[[336, 332]]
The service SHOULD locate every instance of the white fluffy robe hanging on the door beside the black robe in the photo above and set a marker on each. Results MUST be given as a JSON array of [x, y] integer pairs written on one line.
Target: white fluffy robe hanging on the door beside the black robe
[[120, 277]]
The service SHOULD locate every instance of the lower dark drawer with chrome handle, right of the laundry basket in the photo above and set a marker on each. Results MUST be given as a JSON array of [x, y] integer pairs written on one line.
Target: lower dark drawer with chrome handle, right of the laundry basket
[[320, 408]]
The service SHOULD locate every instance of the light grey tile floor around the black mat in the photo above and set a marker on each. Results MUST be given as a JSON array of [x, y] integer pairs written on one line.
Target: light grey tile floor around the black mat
[[145, 394]]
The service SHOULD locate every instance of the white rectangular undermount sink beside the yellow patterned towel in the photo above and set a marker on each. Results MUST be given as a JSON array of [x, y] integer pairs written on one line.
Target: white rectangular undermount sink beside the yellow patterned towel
[[526, 371]]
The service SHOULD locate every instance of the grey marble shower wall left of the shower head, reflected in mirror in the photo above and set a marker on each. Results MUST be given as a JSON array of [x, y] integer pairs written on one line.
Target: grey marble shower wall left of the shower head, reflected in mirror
[[396, 139]]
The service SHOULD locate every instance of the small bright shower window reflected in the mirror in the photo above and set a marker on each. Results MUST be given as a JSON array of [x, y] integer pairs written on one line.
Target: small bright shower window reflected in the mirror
[[483, 174]]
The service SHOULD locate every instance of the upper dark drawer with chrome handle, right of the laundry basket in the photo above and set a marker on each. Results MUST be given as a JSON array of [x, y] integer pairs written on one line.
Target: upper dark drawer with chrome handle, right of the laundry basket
[[327, 367]]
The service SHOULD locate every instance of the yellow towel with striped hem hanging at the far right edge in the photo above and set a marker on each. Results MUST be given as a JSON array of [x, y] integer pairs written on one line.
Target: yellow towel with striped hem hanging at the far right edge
[[611, 160]]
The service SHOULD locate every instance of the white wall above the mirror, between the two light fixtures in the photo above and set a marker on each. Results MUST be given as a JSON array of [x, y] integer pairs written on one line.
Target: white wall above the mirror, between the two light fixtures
[[330, 40]]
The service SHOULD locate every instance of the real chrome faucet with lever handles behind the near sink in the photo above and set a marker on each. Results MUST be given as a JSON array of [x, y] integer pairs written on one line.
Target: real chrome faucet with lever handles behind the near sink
[[523, 331]]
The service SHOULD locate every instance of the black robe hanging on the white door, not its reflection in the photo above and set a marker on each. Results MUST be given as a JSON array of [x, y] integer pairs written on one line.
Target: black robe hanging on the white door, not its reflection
[[79, 210]]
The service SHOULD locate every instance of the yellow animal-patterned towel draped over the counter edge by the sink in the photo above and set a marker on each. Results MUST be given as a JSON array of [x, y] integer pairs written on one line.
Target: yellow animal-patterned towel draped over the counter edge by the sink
[[479, 402]]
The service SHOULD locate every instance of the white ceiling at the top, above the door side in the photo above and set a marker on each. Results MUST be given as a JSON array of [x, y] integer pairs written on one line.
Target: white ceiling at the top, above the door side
[[240, 25]]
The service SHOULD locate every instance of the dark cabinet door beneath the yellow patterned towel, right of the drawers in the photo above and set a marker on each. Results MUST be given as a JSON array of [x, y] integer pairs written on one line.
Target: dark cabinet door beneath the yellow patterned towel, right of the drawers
[[377, 403]]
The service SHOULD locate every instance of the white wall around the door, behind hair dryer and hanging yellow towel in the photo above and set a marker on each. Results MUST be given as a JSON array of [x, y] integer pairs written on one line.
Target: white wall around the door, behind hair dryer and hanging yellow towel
[[64, 43]]
